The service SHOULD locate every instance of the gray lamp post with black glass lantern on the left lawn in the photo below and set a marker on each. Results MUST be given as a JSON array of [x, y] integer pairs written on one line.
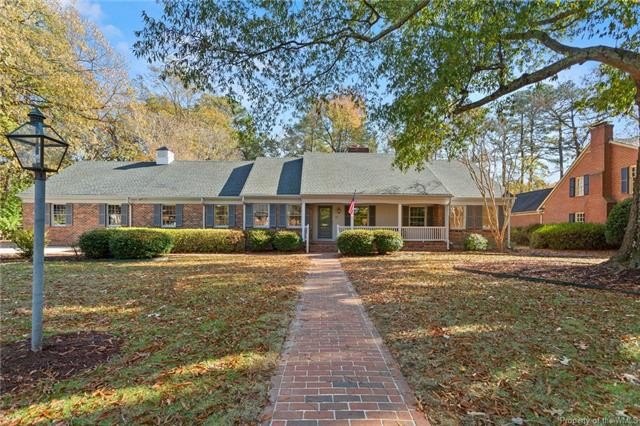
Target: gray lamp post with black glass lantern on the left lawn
[[40, 149]]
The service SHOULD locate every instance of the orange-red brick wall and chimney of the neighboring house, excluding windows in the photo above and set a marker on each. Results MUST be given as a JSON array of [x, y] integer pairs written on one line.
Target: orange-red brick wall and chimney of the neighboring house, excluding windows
[[602, 161]]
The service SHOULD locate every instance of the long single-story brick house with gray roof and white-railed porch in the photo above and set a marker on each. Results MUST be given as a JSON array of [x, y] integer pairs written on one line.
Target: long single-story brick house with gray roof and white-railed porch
[[433, 208]]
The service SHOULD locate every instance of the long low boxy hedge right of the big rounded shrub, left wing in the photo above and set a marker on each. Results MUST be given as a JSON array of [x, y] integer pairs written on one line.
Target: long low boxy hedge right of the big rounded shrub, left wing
[[206, 240]]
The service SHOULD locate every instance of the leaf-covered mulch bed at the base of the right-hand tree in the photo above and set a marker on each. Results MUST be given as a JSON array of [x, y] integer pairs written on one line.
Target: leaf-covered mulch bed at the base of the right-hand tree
[[561, 271]]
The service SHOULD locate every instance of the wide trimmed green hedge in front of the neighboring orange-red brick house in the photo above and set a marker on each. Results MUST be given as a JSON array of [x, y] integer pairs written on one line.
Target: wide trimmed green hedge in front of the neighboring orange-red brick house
[[570, 236]]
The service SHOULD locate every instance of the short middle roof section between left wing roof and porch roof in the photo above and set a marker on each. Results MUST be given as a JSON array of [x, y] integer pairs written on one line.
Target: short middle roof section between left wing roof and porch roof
[[274, 176]]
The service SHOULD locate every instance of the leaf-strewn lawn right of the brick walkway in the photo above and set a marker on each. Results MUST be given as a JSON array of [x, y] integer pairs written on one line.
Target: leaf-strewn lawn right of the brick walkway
[[477, 348]]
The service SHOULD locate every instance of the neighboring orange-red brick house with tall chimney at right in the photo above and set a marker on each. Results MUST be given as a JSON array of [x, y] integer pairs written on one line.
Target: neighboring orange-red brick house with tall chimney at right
[[601, 176]]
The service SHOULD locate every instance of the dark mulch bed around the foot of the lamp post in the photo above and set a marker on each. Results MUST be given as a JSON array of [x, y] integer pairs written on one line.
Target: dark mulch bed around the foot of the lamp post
[[62, 356]]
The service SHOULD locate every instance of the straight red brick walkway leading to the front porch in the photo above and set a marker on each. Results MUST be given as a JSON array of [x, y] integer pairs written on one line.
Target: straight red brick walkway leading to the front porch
[[335, 369]]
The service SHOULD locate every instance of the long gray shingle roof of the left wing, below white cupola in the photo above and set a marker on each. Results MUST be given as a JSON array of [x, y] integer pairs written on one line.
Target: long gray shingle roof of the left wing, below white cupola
[[146, 179]]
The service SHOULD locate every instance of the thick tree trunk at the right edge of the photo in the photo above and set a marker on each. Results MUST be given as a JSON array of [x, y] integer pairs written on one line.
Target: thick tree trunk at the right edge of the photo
[[629, 253]]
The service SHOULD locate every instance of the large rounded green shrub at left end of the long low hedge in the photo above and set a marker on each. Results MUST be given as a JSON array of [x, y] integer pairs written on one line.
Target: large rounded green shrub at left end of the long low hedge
[[139, 243]]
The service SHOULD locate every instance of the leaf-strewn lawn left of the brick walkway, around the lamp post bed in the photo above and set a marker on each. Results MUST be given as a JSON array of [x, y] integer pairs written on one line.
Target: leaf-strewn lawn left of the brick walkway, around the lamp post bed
[[200, 337]]
